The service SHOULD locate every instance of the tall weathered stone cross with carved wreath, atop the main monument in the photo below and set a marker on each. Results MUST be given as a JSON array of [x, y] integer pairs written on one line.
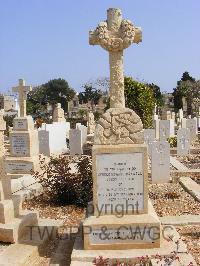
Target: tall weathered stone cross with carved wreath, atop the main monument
[[114, 35]]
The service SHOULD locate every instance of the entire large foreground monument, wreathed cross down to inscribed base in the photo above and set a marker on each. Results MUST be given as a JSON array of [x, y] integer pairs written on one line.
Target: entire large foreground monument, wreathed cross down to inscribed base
[[119, 156]]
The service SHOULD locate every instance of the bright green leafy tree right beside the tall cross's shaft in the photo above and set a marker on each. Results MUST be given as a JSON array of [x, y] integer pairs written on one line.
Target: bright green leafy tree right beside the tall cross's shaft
[[140, 98]]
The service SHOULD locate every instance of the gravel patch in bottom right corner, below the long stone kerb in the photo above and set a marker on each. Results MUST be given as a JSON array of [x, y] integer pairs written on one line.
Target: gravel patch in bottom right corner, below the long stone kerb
[[191, 236]]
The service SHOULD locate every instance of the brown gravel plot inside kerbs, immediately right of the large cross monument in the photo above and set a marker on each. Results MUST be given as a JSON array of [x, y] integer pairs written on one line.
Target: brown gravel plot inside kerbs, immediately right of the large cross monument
[[172, 199]]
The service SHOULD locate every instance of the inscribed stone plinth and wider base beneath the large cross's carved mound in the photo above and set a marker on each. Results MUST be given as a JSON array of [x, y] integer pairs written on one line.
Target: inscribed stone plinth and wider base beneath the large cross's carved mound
[[120, 199]]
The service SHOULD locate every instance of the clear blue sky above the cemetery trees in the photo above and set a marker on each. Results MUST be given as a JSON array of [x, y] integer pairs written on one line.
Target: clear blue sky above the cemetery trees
[[46, 39]]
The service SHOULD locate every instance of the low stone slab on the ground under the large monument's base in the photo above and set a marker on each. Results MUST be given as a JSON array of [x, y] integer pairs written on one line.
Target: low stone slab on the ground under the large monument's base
[[85, 257]]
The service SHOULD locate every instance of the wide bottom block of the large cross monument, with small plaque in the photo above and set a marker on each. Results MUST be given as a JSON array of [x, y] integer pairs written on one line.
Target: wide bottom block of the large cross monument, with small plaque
[[127, 232]]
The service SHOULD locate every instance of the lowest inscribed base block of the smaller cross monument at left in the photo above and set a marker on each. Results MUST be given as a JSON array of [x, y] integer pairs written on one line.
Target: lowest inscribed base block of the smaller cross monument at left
[[18, 166]]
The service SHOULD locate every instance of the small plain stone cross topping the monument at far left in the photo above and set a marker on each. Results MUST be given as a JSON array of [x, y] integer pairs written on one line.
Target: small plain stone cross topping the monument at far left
[[22, 90]]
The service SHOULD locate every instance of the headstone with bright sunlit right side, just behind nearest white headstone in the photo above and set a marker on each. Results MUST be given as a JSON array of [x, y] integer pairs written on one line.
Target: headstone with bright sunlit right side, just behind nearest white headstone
[[166, 129]]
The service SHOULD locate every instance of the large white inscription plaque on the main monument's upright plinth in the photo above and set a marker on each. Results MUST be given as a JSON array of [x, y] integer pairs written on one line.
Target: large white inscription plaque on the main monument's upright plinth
[[120, 182]]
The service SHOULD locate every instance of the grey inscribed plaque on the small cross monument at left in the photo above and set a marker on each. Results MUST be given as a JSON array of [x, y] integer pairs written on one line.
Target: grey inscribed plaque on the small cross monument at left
[[20, 145]]
